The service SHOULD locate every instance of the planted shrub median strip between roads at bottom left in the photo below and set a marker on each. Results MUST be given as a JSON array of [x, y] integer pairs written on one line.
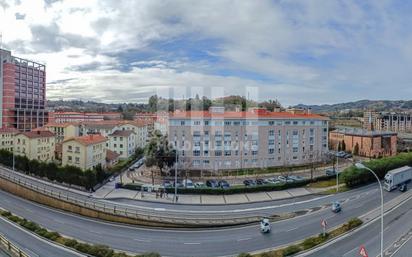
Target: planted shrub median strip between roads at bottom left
[[89, 249]]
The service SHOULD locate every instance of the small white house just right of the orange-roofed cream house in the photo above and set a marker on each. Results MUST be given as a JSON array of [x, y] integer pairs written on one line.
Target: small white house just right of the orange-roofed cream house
[[123, 142]]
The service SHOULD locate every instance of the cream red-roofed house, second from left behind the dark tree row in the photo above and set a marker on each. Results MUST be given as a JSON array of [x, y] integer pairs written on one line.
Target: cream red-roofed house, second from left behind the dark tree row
[[39, 145]]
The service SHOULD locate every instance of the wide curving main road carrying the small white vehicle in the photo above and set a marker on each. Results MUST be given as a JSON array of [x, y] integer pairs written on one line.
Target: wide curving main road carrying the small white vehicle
[[211, 242]]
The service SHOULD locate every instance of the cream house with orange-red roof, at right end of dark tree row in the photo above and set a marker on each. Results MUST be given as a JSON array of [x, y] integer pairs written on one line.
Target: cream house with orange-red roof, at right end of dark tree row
[[85, 152]]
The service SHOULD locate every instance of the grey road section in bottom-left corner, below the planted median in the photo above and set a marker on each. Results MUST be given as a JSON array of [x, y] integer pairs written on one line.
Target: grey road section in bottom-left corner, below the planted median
[[31, 244]]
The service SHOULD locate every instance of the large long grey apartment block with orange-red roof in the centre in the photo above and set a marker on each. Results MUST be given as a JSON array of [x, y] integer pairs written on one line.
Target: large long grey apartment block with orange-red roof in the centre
[[218, 139]]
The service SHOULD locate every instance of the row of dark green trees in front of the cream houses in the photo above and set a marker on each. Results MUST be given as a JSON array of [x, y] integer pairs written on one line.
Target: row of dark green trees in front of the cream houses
[[67, 174]]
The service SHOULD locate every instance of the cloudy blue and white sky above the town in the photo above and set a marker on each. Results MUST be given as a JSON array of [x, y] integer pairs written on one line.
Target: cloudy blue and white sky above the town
[[311, 52]]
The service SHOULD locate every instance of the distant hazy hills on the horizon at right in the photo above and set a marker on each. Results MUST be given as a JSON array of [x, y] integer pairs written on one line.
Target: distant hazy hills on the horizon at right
[[377, 105]]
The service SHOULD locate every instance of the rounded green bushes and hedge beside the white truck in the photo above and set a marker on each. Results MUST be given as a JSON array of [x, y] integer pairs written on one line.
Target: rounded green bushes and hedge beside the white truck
[[355, 177]]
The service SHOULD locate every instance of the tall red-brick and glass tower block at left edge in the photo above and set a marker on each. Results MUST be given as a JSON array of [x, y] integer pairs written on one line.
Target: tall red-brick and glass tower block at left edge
[[22, 92]]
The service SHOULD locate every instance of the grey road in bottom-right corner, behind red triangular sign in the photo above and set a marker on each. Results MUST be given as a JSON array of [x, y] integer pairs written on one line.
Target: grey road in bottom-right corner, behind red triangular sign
[[397, 223]]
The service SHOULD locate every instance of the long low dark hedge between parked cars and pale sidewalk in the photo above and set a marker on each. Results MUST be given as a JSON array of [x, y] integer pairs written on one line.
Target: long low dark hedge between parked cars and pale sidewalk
[[234, 189]]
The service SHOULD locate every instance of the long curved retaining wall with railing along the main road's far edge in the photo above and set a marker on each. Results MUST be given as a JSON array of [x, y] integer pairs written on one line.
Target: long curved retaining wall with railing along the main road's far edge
[[145, 214]]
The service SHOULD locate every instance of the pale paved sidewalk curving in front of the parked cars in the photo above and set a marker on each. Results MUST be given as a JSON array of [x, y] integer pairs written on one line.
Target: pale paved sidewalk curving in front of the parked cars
[[109, 192]]
